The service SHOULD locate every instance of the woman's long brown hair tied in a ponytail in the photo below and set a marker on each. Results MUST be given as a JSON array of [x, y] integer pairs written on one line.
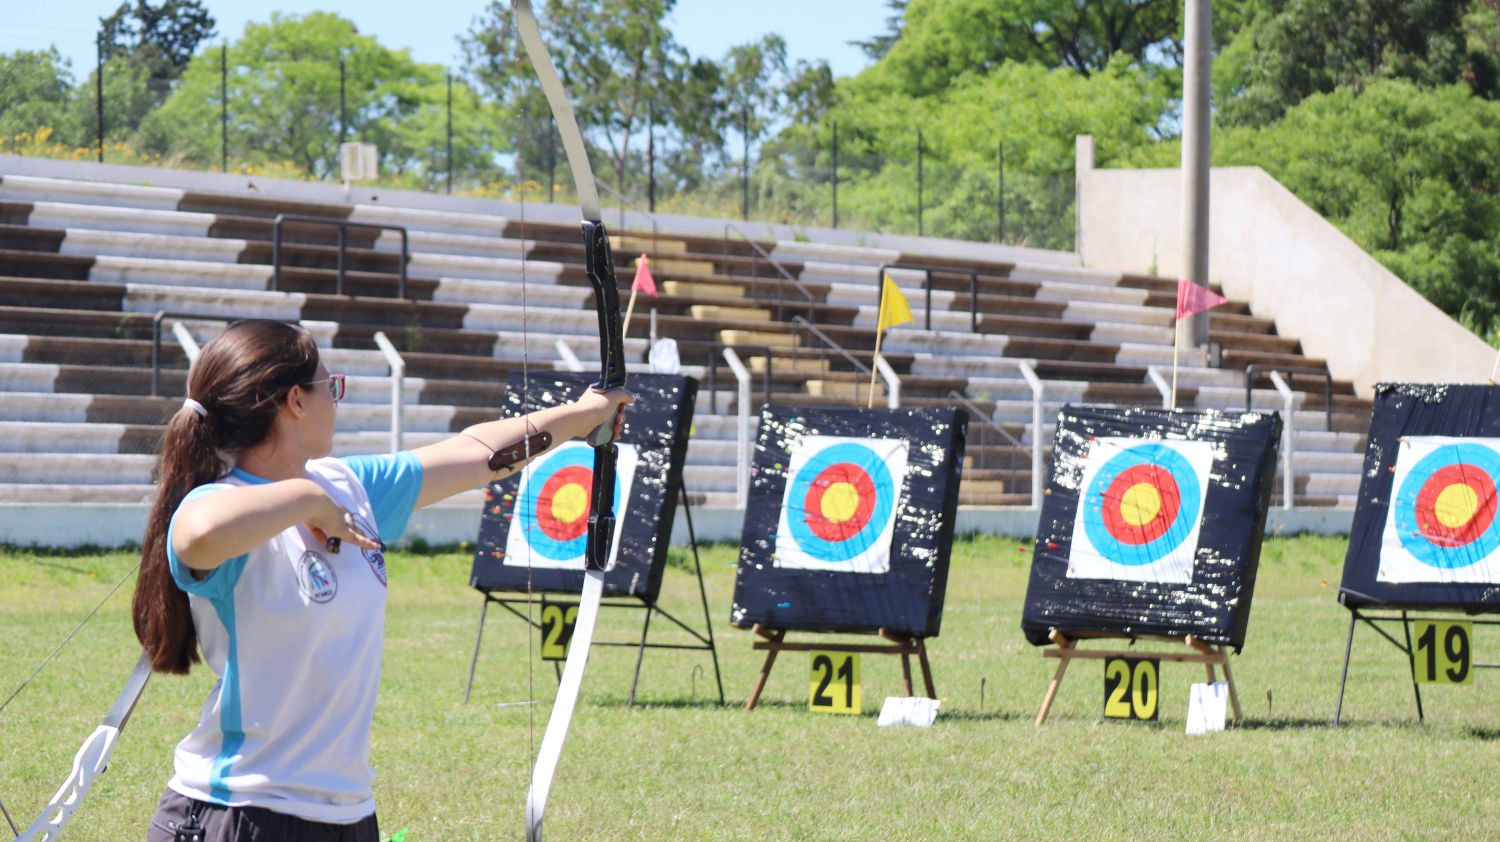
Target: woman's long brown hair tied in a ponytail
[[242, 377]]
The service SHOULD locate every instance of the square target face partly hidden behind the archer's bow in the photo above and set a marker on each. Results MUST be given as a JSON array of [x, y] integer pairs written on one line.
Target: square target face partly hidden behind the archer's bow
[[553, 508]]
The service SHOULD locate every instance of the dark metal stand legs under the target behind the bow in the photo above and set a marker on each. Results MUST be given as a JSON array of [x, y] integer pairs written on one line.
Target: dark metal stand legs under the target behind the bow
[[706, 640]]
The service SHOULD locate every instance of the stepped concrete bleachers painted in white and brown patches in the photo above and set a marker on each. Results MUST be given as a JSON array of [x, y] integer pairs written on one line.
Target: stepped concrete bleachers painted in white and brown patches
[[86, 265]]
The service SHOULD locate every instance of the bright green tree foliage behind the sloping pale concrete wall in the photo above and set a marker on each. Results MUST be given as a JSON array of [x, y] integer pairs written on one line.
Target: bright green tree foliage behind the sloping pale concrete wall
[[1412, 175]]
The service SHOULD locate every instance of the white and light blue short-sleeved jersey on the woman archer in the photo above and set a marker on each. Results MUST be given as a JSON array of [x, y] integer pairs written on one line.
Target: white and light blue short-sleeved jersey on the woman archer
[[295, 634]]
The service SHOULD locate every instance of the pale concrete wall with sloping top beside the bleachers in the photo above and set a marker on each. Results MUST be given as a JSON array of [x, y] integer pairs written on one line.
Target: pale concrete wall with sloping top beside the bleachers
[[1289, 263]]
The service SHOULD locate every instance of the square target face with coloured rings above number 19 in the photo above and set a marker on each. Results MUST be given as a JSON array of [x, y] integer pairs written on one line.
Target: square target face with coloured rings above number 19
[[1441, 526]]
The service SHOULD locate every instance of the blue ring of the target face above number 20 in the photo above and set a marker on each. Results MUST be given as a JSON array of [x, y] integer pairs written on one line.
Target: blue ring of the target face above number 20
[[1189, 510]]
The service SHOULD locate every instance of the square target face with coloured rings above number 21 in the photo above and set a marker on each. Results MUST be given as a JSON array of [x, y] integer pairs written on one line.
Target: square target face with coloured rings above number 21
[[839, 511]]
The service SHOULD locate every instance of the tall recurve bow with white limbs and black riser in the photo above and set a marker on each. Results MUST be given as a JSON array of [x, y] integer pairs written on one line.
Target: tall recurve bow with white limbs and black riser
[[613, 376]]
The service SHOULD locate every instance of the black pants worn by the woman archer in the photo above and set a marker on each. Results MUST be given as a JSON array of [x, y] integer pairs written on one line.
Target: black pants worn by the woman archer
[[251, 825]]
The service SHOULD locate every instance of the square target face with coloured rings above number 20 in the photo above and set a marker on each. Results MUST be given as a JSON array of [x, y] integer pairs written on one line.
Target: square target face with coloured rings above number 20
[[1141, 510]]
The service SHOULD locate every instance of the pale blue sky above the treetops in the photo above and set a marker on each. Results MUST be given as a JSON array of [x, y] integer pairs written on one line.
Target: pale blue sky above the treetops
[[814, 29]]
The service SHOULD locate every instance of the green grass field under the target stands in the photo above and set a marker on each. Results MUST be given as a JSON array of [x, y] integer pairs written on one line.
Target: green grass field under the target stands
[[683, 768]]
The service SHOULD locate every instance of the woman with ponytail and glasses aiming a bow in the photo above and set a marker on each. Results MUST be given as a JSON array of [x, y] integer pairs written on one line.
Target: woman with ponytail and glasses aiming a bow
[[268, 556]]
